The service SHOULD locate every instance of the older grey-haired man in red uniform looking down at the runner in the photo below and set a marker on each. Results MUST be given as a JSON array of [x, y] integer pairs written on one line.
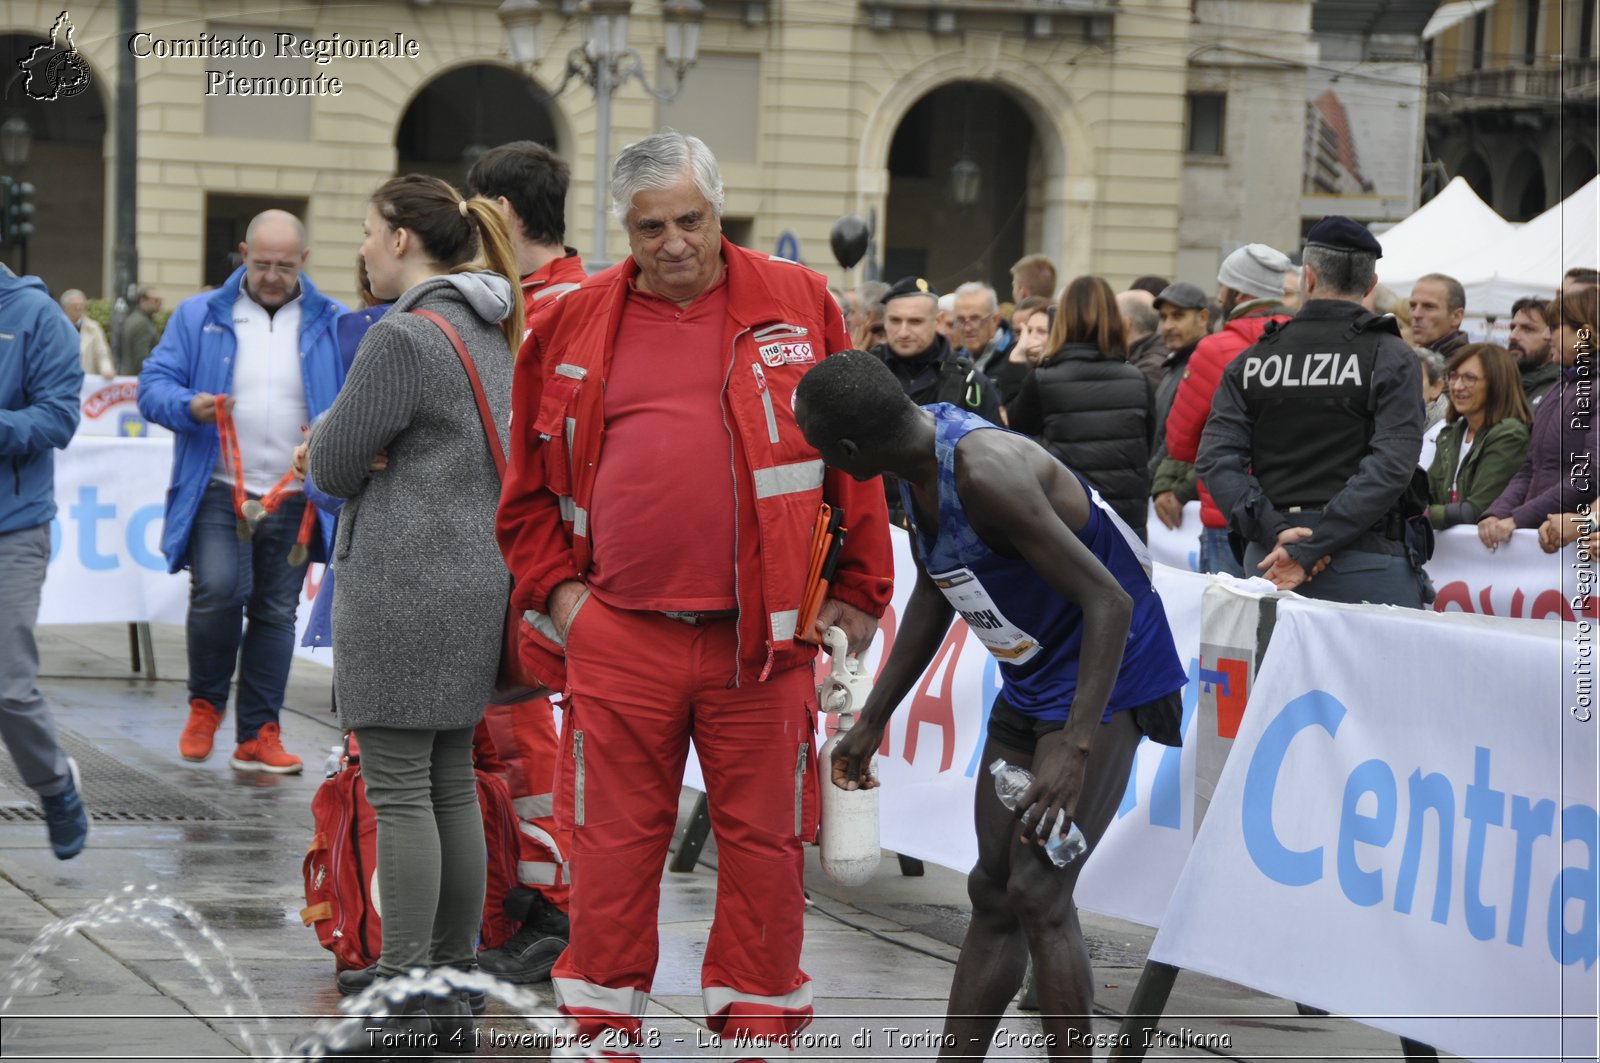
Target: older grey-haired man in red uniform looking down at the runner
[[658, 518]]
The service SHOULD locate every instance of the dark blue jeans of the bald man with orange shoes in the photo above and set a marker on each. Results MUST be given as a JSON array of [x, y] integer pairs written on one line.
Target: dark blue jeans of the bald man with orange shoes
[[234, 582]]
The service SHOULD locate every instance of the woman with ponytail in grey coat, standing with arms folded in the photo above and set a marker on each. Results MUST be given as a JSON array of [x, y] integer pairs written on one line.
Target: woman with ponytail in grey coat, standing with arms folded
[[422, 606]]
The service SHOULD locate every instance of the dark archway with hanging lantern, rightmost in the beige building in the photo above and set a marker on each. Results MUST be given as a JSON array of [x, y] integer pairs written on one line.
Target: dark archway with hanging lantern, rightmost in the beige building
[[959, 187]]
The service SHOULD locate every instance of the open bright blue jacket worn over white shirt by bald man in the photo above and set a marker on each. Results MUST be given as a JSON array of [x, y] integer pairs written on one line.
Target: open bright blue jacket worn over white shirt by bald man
[[198, 356]]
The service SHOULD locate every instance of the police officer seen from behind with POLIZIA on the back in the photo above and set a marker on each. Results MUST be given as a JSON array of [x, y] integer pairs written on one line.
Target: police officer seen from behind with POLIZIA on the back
[[1314, 438]]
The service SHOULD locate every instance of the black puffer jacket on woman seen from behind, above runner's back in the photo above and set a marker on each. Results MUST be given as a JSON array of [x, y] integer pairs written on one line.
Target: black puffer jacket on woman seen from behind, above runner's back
[[1095, 415]]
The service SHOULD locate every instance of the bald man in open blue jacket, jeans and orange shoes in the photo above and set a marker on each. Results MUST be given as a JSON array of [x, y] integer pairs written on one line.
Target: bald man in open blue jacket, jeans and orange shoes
[[266, 347]]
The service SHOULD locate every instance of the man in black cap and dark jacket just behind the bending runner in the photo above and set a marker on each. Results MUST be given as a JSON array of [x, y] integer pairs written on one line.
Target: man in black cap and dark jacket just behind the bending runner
[[927, 366]]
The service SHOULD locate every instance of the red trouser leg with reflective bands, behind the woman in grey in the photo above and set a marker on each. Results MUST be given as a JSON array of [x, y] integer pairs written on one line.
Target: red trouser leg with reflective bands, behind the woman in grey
[[526, 739]]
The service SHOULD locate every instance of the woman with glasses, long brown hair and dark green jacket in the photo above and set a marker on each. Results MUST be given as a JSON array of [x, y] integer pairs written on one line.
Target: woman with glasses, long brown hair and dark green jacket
[[1486, 436]]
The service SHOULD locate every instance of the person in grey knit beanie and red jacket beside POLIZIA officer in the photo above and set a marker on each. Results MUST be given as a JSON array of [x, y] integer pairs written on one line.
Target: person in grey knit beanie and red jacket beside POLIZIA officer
[[1252, 297]]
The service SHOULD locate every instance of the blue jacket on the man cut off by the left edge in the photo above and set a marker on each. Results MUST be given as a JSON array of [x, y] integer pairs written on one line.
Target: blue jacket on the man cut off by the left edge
[[41, 379]]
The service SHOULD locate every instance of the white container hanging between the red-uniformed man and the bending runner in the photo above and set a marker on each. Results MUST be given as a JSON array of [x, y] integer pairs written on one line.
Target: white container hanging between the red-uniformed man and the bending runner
[[850, 817]]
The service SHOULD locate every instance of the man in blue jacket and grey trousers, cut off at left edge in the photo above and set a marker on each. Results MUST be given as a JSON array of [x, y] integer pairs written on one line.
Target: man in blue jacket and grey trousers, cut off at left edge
[[41, 379]]
